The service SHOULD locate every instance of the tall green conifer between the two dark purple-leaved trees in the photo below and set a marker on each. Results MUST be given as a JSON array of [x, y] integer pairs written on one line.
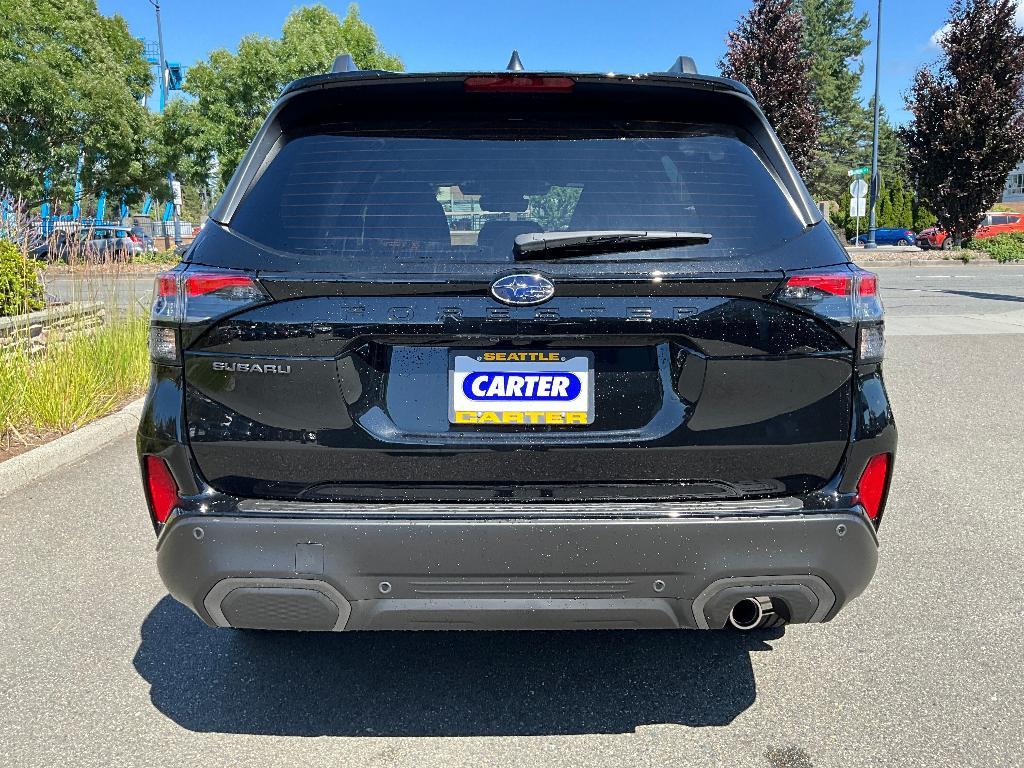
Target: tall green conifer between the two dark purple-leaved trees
[[834, 42]]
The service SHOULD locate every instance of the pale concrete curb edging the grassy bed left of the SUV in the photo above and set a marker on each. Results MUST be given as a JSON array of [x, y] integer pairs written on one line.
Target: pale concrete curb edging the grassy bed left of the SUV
[[28, 467]]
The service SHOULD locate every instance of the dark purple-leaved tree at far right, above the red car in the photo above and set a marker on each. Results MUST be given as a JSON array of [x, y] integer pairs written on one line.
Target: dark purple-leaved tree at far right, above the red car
[[968, 127]]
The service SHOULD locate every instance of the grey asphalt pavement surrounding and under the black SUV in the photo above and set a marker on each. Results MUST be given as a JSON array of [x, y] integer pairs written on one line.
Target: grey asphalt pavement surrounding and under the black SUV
[[99, 667]]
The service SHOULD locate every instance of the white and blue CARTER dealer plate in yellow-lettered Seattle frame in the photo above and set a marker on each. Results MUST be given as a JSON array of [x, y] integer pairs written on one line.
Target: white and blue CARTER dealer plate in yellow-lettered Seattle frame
[[516, 388]]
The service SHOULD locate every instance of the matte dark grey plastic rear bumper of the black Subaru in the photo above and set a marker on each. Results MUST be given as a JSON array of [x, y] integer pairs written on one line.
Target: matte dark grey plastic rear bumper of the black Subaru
[[432, 571]]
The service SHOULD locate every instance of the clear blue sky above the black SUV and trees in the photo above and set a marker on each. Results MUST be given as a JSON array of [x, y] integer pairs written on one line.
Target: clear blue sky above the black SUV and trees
[[574, 35]]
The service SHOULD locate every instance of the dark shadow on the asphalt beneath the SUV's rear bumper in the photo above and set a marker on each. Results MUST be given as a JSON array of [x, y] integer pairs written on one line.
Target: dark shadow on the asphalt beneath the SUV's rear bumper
[[442, 685]]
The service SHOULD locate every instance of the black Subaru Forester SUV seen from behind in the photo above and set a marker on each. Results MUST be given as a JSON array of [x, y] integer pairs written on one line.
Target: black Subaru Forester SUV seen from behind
[[517, 351]]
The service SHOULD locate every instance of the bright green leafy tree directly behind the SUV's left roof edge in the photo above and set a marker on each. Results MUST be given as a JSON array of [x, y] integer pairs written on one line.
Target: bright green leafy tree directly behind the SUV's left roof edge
[[232, 94]]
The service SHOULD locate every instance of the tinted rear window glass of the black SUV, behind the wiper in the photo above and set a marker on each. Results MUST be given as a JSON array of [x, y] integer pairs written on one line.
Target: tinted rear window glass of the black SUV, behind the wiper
[[381, 201]]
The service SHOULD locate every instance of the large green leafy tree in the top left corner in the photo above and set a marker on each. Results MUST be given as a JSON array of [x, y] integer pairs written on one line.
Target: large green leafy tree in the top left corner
[[72, 84]]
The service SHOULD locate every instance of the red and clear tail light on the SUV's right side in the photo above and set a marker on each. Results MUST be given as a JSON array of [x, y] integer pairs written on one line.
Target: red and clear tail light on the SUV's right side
[[846, 295]]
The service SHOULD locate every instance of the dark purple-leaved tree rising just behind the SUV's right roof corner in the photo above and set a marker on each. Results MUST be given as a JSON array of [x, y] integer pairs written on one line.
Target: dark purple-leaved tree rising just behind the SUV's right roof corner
[[764, 53]]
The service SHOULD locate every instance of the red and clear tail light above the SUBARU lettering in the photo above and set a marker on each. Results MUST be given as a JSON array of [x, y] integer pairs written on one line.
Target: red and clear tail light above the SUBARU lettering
[[187, 296]]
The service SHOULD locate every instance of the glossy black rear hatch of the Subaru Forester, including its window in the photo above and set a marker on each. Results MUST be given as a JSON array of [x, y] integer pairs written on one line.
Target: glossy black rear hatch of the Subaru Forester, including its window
[[387, 339]]
